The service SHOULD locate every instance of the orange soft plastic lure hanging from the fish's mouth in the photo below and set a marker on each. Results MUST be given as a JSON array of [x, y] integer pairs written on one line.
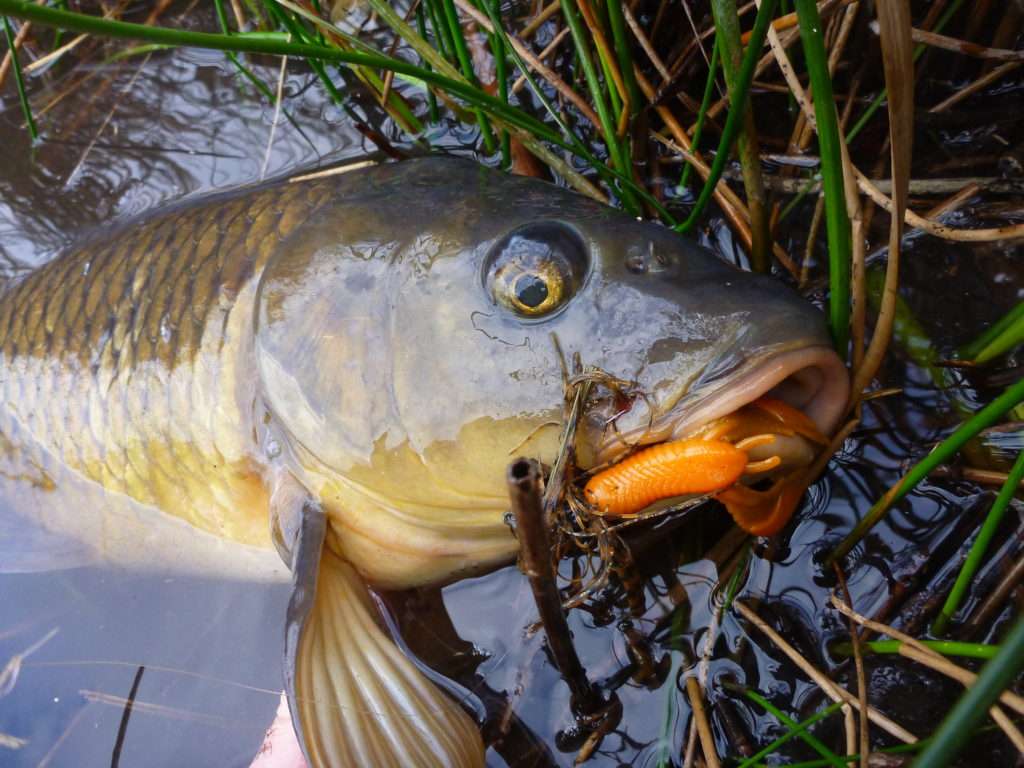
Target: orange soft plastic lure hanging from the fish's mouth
[[708, 463]]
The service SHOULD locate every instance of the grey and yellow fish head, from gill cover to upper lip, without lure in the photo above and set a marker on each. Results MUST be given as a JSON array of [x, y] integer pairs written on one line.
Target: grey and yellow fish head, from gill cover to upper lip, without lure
[[413, 337]]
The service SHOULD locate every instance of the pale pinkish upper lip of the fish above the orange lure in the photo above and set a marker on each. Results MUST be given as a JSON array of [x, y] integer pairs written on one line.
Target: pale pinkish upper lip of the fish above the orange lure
[[826, 405]]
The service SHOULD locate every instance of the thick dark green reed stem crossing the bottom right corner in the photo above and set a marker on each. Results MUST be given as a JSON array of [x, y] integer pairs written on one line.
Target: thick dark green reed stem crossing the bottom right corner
[[972, 708]]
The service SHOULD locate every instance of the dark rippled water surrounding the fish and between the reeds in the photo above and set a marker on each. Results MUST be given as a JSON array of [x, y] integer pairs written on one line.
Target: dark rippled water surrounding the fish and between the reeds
[[126, 138]]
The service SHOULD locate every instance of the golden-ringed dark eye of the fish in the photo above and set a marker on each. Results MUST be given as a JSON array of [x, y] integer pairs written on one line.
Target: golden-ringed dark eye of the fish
[[535, 270]]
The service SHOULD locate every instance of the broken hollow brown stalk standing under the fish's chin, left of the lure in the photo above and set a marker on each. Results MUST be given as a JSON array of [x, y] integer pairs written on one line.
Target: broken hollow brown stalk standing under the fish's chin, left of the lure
[[526, 496]]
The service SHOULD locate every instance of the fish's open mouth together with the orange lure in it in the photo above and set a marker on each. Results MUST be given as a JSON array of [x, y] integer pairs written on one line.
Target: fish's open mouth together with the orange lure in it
[[750, 439]]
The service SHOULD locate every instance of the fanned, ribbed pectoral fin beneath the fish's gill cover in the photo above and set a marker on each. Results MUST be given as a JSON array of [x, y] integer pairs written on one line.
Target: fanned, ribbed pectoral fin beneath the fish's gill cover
[[356, 699]]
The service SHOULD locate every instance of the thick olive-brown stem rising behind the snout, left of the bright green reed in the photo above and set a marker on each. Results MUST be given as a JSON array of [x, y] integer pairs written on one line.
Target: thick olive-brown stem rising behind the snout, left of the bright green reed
[[749, 150]]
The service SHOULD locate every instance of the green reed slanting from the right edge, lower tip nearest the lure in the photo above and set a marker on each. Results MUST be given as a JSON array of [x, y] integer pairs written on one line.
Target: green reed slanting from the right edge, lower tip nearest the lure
[[943, 453]]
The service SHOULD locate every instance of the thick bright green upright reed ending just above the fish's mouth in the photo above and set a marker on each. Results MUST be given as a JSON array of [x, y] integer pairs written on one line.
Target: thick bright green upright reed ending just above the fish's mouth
[[837, 220]]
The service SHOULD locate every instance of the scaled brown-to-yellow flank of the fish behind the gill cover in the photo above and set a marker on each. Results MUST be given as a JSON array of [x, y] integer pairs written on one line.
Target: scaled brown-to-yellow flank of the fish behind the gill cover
[[122, 358]]
